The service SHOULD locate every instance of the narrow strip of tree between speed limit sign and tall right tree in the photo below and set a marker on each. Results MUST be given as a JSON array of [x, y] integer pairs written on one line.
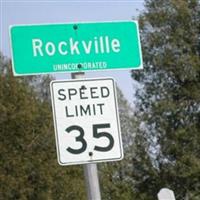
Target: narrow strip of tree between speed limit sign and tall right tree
[[115, 177]]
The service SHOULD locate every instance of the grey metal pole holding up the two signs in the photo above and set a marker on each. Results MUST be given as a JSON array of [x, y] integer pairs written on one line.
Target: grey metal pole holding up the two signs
[[90, 170]]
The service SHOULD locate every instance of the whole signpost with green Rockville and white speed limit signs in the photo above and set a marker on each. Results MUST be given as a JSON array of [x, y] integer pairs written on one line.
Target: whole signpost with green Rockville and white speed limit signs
[[86, 118]]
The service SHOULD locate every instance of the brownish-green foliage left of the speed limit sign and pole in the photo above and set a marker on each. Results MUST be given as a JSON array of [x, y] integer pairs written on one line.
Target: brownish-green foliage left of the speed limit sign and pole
[[28, 166]]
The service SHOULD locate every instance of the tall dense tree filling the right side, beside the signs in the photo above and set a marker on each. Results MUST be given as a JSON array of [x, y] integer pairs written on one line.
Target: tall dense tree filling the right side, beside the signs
[[168, 150]]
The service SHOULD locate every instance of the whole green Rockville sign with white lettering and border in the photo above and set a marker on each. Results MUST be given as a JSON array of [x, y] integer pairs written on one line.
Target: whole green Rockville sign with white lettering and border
[[75, 47]]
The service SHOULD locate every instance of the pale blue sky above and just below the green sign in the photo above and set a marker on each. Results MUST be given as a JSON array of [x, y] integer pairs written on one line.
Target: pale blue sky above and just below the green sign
[[60, 11]]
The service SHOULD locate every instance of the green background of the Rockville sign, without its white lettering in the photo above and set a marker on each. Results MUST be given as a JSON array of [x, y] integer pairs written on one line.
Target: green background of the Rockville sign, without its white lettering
[[24, 63]]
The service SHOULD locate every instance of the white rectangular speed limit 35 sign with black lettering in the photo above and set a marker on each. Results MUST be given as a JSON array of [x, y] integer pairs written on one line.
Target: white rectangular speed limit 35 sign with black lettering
[[86, 121]]
